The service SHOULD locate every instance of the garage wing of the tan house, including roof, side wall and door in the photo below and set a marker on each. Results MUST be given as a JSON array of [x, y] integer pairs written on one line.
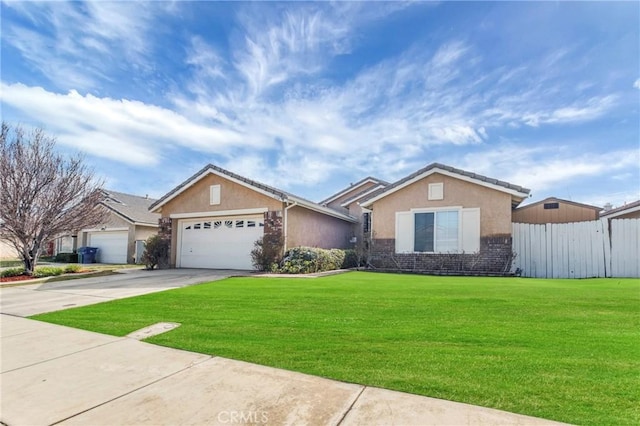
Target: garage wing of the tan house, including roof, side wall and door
[[214, 218]]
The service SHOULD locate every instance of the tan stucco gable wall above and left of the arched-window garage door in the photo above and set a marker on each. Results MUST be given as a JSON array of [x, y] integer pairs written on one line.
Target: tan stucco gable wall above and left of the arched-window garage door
[[233, 196]]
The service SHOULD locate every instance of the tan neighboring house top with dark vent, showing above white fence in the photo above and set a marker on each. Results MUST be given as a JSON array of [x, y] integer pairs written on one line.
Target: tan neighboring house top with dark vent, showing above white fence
[[555, 210]]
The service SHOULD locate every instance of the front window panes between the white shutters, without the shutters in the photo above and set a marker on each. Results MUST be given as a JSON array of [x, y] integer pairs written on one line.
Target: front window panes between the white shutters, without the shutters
[[436, 232]]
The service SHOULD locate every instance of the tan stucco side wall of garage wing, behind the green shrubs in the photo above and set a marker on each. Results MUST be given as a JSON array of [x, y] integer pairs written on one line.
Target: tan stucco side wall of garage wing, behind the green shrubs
[[312, 229]]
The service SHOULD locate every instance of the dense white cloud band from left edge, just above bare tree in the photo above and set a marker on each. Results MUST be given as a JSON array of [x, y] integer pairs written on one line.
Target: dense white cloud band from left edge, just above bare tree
[[122, 130]]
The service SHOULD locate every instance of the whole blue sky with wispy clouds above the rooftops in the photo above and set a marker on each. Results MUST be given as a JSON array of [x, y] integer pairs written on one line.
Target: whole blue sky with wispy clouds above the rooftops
[[309, 97]]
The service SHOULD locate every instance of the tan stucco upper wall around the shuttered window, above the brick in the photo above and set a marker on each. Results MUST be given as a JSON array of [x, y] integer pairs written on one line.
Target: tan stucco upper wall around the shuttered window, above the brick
[[495, 206]]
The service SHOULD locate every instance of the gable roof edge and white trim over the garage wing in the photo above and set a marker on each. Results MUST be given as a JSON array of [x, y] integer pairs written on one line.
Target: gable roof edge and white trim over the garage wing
[[267, 190]]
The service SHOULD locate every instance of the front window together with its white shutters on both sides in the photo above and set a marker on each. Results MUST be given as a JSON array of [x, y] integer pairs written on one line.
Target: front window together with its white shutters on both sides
[[447, 230]]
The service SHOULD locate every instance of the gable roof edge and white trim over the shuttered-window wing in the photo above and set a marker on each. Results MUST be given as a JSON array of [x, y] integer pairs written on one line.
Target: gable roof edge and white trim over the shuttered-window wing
[[518, 193]]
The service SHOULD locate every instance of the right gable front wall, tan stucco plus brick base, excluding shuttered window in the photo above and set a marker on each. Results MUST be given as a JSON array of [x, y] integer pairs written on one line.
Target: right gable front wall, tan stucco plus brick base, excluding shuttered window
[[495, 253]]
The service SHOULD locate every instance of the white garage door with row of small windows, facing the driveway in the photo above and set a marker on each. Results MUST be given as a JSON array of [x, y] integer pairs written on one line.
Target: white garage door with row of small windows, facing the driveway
[[219, 243]]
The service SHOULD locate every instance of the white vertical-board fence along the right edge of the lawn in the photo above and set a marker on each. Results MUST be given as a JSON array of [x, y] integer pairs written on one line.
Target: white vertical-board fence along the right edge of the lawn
[[578, 250]]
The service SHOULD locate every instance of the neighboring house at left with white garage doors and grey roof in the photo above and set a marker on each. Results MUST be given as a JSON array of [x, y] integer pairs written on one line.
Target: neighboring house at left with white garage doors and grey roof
[[121, 238]]
